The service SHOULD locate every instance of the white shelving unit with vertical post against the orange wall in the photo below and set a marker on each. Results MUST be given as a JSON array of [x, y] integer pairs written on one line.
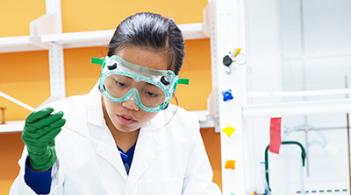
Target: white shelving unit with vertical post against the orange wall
[[46, 34]]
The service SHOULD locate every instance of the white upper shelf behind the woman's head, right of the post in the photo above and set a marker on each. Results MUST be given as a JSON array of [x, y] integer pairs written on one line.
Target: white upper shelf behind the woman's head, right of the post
[[102, 37]]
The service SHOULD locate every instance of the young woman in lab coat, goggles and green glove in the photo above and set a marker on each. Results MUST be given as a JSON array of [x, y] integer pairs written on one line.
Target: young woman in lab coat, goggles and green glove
[[123, 137]]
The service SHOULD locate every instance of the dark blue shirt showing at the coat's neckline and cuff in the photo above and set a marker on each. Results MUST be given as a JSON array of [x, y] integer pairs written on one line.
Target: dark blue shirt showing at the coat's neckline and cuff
[[40, 181]]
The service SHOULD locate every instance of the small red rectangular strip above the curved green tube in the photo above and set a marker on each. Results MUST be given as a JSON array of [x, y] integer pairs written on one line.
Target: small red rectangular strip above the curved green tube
[[275, 135]]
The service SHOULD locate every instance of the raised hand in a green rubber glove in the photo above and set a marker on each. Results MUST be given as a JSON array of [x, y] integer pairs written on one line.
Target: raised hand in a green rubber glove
[[40, 130]]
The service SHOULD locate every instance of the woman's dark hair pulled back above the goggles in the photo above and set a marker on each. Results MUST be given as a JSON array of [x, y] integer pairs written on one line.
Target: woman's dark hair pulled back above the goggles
[[151, 30]]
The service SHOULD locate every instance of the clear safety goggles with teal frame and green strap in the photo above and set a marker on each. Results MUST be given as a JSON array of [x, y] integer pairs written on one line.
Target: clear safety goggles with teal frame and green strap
[[151, 89]]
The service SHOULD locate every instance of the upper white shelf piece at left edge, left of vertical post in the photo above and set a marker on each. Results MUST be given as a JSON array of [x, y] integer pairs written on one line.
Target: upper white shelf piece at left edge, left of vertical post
[[17, 44]]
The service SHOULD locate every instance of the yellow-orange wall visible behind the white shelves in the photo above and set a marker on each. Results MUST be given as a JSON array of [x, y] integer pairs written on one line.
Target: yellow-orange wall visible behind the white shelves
[[25, 75]]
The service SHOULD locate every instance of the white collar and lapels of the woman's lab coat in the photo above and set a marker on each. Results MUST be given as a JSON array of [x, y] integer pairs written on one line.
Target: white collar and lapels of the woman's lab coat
[[147, 148]]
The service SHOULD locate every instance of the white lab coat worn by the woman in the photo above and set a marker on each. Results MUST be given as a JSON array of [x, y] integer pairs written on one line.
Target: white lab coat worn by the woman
[[167, 161]]
